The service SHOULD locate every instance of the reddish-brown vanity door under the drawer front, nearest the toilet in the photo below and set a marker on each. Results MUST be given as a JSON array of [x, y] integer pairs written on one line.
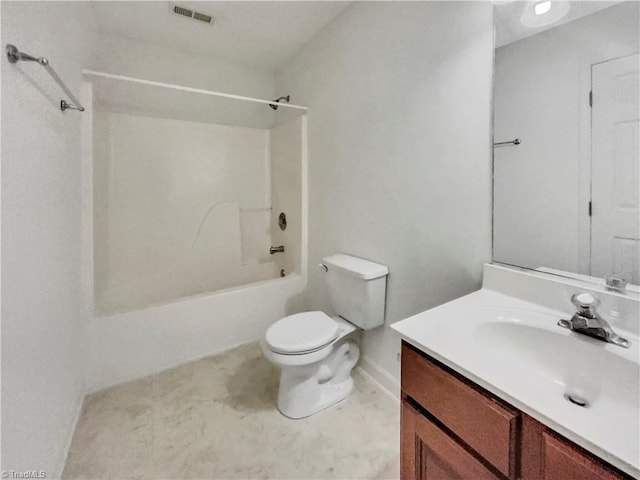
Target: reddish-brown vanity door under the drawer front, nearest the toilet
[[428, 453]]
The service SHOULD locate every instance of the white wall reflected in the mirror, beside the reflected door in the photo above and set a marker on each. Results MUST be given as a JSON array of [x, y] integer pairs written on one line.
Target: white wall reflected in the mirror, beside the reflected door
[[541, 96]]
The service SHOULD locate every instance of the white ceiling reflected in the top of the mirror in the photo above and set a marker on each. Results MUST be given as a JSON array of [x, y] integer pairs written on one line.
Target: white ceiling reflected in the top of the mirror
[[509, 28]]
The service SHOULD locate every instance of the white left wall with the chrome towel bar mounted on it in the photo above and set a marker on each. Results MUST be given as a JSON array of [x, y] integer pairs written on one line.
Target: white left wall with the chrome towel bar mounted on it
[[42, 308]]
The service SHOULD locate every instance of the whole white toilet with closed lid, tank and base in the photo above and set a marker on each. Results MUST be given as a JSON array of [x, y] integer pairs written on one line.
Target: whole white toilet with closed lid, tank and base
[[315, 352]]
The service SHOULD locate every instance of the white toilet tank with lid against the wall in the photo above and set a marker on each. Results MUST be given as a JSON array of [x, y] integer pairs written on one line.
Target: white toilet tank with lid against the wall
[[357, 289]]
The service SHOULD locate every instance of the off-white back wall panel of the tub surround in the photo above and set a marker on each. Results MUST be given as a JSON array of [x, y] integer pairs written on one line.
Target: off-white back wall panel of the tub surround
[[168, 209]]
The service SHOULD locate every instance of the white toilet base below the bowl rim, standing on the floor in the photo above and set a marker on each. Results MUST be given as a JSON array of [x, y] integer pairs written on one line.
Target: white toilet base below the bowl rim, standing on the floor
[[307, 390]]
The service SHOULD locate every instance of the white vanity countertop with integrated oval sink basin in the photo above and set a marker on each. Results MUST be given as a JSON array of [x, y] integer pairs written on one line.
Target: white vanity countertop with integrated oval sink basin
[[515, 350]]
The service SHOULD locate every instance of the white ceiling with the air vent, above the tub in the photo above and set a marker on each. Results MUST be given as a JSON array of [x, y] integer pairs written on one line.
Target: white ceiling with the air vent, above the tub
[[261, 34]]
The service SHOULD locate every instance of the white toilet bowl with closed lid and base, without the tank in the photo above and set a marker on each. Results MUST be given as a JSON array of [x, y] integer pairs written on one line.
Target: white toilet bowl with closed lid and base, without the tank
[[315, 354]]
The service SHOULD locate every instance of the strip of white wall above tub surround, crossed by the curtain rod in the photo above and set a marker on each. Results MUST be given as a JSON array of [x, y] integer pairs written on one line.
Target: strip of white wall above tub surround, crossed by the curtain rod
[[121, 57]]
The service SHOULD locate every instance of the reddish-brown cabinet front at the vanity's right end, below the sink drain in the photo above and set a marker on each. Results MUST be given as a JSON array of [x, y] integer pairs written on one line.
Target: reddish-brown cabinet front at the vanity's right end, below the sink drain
[[546, 456]]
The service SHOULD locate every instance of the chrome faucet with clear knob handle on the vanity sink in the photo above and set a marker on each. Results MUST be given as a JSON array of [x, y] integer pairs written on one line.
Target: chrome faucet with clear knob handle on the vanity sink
[[589, 322]]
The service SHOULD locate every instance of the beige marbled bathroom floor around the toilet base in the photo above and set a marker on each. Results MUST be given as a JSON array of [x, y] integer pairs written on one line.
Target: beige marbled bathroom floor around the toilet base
[[216, 419]]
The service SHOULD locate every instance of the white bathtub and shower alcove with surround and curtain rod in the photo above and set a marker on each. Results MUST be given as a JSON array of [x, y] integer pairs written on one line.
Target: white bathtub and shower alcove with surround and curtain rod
[[194, 228]]
